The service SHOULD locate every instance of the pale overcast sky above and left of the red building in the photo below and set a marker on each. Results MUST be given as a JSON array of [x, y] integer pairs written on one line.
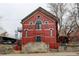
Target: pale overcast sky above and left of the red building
[[12, 14]]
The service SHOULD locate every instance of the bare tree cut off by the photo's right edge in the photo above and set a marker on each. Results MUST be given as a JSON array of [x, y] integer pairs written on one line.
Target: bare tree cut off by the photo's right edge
[[74, 13]]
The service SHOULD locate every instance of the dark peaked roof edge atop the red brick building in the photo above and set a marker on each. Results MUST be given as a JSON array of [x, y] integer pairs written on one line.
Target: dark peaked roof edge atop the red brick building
[[43, 11]]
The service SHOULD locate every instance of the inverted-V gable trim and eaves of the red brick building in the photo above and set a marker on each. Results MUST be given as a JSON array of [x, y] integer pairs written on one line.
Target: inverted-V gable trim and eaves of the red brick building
[[42, 11]]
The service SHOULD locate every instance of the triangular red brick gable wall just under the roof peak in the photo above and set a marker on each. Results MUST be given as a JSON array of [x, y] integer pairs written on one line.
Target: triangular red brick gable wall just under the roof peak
[[34, 18]]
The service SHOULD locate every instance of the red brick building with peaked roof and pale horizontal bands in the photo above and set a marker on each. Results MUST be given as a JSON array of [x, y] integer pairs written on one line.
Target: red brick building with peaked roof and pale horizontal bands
[[40, 26]]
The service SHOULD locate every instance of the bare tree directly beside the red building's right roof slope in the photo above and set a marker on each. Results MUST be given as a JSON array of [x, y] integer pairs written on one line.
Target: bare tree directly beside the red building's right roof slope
[[57, 9]]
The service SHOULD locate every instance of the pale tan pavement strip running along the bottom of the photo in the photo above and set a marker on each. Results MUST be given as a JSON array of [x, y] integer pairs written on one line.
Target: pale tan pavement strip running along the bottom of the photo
[[48, 54]]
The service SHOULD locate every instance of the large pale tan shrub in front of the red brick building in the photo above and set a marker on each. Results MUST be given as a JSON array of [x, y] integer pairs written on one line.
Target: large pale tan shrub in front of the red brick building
[[35, 47]]
